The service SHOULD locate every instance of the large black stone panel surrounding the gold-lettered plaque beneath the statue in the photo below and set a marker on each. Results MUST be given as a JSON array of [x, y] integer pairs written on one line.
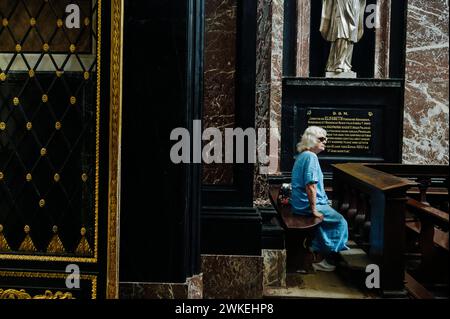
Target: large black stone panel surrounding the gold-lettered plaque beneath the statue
[[363, 119]]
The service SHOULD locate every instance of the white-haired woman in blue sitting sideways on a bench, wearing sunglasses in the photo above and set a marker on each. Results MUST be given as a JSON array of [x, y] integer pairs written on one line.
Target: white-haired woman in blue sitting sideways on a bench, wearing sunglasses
[[309, 198]]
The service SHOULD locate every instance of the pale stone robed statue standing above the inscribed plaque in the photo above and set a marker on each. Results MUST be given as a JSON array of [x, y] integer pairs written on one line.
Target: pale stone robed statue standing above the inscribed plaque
[[342, 24]]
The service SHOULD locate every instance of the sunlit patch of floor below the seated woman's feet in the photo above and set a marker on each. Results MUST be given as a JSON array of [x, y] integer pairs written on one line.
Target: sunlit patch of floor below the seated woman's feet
[[317, 285]]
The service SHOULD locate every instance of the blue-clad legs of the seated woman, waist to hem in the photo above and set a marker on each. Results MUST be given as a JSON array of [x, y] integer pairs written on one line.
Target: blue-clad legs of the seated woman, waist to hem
[[332, 234]]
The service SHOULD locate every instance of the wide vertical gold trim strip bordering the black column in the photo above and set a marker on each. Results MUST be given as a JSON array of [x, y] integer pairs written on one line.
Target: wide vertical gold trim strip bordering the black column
[[112, 271]]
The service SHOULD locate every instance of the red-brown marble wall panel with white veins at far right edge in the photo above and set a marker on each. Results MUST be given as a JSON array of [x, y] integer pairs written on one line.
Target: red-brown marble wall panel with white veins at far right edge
[[426, 119]]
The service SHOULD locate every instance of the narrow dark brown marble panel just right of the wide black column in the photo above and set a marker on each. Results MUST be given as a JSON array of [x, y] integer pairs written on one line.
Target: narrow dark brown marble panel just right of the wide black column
[[219, 78]]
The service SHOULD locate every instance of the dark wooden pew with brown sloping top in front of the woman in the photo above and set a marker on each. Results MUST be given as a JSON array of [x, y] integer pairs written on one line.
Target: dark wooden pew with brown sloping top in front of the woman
[[374, 203]]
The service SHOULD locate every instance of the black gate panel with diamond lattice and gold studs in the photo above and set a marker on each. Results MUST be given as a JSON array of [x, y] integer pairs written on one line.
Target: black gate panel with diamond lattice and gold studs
[[47, 126]]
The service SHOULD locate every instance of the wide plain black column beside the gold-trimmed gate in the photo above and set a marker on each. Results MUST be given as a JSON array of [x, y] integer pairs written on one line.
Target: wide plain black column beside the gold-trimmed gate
[[159, 199]]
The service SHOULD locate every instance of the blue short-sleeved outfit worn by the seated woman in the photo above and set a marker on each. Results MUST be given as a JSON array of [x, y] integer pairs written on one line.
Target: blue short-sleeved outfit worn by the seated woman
[[332, 233]]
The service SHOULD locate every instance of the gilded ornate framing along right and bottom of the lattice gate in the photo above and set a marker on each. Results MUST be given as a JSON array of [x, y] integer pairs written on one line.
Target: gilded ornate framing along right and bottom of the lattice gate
[[113, 217]]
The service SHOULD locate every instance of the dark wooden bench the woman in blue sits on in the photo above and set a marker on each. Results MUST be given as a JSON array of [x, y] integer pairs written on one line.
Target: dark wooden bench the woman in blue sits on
[[299, 232]]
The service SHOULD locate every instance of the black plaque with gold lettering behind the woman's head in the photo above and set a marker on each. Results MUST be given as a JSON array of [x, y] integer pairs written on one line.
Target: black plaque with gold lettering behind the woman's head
[[350, 132]]
